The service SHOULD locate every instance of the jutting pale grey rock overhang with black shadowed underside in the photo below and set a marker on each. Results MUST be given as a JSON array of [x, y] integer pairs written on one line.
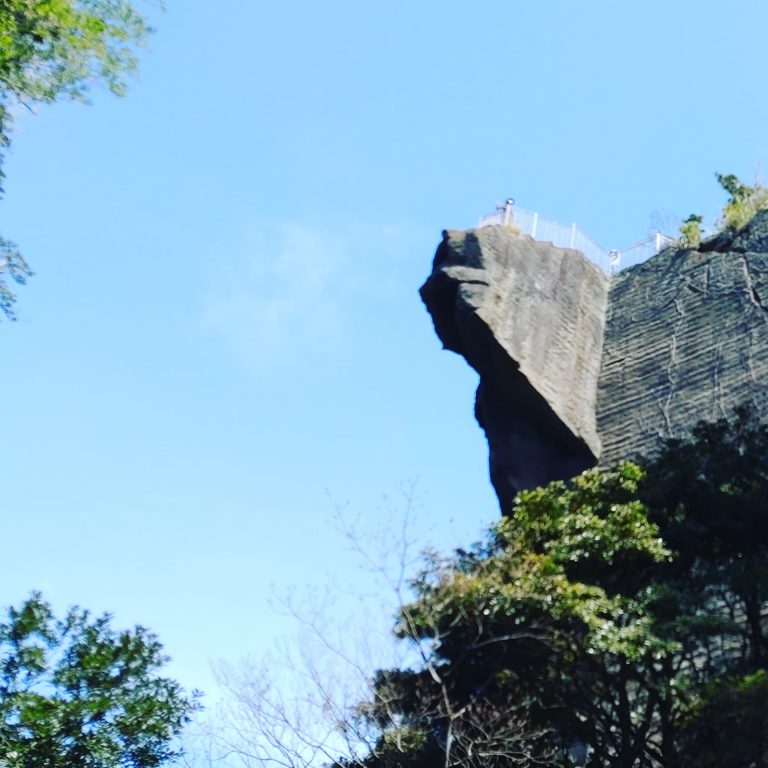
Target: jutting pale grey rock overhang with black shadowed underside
[[529, 318]]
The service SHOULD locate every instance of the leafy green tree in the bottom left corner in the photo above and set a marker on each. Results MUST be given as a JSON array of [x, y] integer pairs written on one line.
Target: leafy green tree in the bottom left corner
[[75, 693]]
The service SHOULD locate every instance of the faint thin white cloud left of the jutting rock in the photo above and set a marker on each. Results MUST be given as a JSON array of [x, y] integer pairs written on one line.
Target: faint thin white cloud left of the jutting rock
[[290, 289]]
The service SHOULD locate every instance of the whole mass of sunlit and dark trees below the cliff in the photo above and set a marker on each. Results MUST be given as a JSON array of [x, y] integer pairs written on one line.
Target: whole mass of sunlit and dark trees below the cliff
[[617, 620]]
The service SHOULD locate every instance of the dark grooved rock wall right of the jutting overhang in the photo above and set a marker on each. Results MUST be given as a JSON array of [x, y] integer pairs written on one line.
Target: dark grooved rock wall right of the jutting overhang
[[686, 339]]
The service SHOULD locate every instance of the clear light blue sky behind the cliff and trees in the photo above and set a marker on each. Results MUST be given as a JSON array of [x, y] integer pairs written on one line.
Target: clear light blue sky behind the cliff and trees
[[224, 327]]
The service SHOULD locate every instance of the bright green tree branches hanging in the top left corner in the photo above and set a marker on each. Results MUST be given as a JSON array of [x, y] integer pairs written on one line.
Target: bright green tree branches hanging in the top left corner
[[51, 49]]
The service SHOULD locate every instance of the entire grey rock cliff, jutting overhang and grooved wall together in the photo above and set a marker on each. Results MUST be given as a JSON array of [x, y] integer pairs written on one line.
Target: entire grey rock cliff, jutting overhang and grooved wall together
[[576, 369]]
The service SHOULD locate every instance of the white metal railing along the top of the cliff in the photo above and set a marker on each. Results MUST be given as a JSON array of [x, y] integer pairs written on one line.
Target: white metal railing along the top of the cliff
[[572, 236]]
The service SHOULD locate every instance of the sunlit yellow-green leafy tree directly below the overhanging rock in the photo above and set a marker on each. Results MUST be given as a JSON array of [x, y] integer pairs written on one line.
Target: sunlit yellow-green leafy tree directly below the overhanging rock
[[544, 628]]
